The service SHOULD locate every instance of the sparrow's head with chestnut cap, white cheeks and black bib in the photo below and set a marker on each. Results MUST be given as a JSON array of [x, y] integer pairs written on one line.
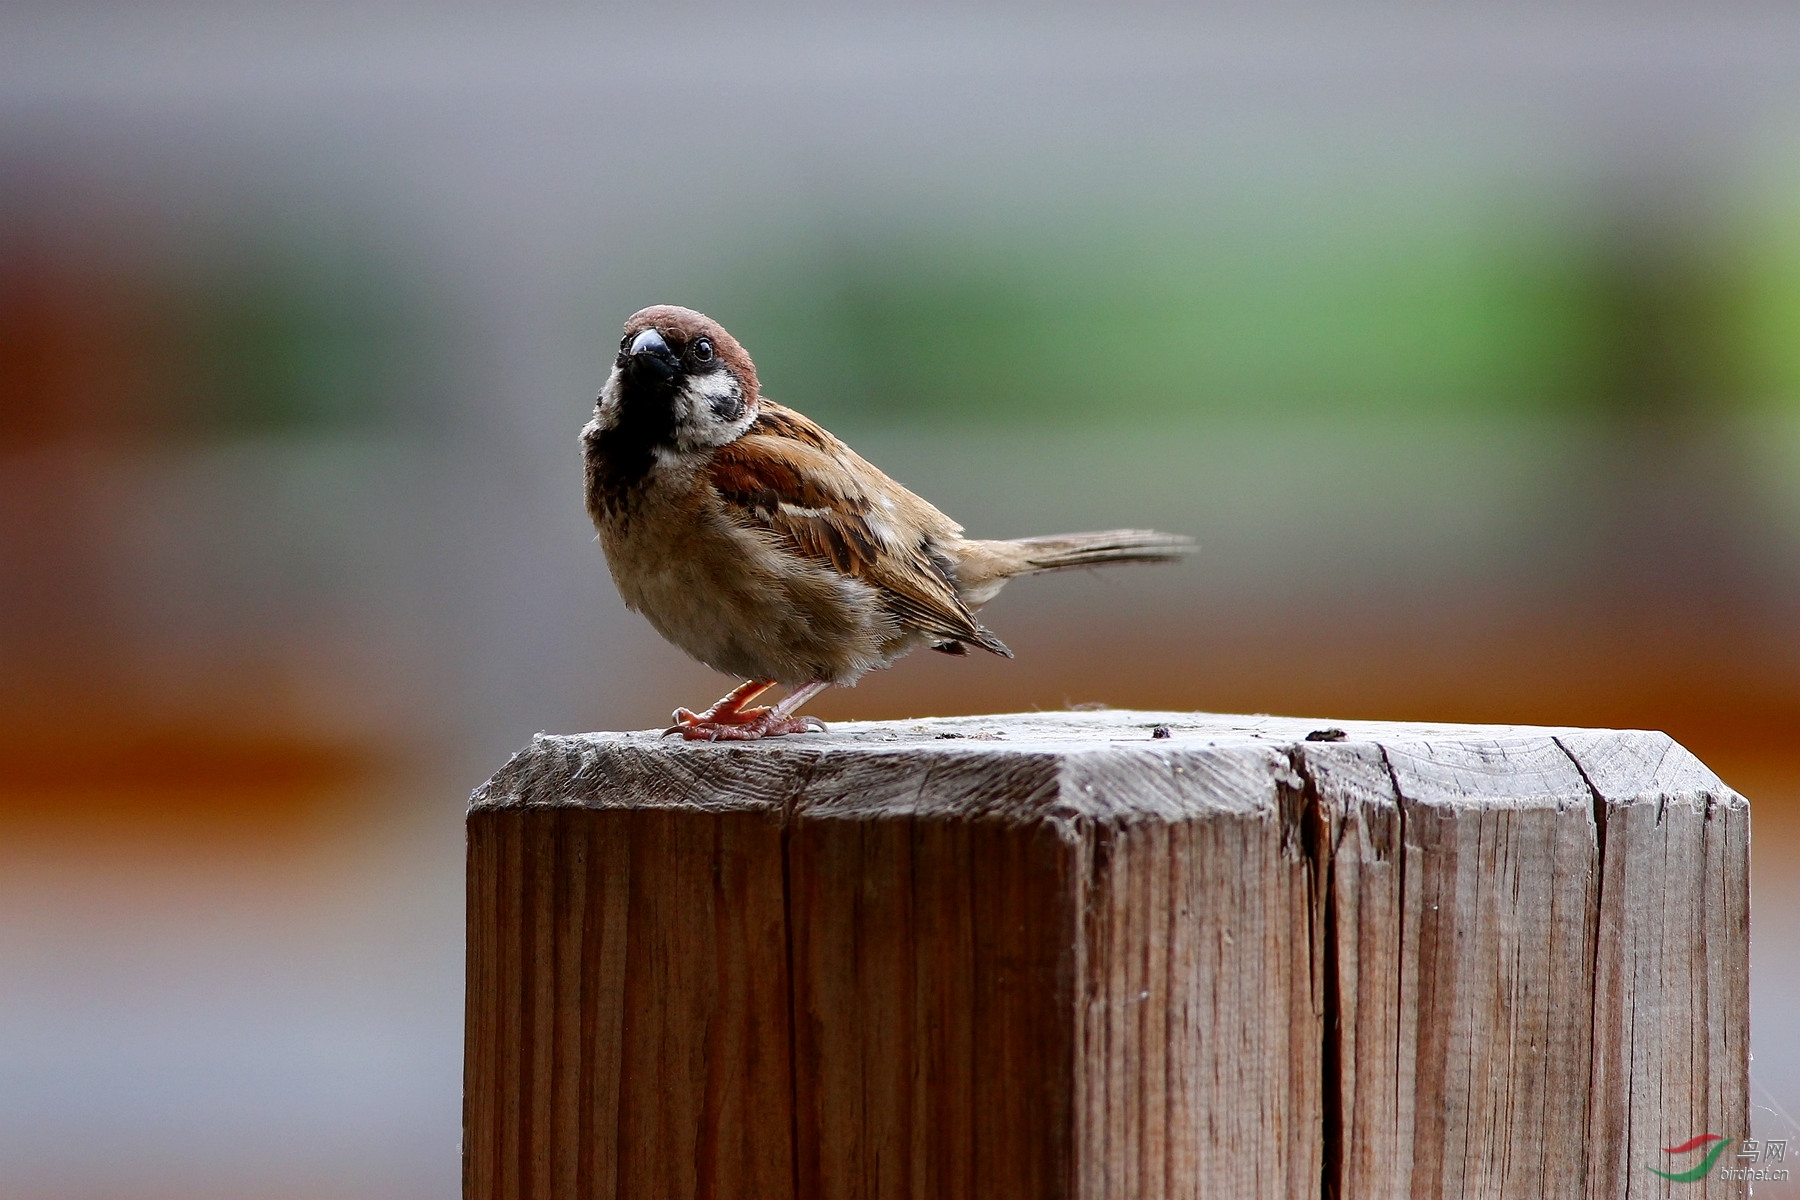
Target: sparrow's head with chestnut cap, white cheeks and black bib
[[679, 382]]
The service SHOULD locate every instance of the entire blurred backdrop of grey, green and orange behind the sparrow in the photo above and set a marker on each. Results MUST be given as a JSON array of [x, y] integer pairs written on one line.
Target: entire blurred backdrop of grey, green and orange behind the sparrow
[[1466, 341]]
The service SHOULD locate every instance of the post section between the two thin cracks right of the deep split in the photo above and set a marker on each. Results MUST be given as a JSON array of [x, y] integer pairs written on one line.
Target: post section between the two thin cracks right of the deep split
[[1498, 915]]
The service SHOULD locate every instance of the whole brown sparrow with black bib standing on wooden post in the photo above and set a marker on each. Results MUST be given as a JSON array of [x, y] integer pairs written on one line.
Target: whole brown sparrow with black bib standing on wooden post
[[771, 551]]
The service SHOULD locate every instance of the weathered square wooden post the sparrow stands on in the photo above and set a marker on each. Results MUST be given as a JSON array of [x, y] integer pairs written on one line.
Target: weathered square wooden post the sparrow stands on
[[1106, 954]]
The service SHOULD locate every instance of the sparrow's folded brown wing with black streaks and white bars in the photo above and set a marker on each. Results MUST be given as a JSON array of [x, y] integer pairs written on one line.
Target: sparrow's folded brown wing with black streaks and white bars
[[827, 505]]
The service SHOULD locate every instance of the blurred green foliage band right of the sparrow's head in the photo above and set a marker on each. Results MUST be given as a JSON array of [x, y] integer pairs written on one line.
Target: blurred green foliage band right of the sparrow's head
[[1450, 312]]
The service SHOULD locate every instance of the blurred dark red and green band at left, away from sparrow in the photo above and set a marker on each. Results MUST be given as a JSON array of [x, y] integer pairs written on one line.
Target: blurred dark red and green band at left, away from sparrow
[[208, 337]]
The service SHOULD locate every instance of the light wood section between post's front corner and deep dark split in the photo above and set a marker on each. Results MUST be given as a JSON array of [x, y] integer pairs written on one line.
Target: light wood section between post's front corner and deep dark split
[[1201, 1023]]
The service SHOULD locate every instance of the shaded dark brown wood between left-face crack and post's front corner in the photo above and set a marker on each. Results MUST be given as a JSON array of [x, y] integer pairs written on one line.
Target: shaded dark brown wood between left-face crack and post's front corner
[[933, 965]]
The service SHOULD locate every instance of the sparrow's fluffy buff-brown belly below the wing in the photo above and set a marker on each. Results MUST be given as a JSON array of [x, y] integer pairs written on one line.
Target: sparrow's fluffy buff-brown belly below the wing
[[744, 607]]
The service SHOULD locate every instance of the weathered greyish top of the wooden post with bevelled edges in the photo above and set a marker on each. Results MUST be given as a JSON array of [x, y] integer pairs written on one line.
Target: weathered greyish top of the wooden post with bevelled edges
[[1102, 764]]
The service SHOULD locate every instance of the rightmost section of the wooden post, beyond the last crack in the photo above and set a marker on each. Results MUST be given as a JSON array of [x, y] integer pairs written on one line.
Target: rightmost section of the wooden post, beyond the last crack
[[1671, 990]]
